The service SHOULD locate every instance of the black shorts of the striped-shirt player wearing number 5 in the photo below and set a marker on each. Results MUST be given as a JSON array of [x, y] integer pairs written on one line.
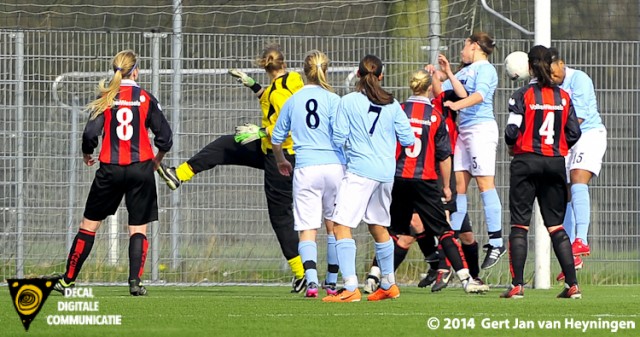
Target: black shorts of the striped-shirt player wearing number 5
[[425, 198]]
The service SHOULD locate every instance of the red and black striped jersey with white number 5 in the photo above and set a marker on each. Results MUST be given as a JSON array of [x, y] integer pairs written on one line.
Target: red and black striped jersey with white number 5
[[432, 141]]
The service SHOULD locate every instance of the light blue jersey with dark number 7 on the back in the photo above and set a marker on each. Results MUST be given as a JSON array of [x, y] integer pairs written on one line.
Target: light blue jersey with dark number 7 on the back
[[370, 133]]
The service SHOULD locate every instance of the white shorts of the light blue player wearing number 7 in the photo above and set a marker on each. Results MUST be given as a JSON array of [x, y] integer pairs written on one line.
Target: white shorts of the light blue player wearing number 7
[[362, 199]]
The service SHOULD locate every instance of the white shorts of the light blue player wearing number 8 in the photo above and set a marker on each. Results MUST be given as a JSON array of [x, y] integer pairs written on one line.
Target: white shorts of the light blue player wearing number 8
[[313, 186]]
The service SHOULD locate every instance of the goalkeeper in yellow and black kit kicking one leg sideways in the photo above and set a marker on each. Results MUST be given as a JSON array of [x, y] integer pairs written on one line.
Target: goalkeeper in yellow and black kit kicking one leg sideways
[[242, 149]]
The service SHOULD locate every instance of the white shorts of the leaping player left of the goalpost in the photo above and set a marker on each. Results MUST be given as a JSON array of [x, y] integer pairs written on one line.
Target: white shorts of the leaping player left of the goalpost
[[476, 148]]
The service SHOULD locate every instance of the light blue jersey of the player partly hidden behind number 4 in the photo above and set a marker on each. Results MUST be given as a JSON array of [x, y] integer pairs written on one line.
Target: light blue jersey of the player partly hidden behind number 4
[[583, 96]]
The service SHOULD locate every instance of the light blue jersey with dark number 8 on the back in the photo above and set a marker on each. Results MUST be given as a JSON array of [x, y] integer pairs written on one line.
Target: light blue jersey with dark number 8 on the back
[[308, 115]]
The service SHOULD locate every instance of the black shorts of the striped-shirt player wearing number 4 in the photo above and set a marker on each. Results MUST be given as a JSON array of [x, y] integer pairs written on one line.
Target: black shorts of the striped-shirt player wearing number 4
[[536, 176]]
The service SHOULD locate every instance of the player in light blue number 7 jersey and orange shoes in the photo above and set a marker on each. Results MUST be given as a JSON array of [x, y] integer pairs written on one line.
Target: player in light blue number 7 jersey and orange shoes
[[368, 124]]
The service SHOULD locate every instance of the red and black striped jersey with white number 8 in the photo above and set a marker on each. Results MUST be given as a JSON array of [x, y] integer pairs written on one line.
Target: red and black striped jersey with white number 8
[[123, 126]]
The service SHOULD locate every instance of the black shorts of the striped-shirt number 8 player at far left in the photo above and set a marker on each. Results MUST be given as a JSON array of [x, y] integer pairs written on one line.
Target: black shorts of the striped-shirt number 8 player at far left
[[136, 182]]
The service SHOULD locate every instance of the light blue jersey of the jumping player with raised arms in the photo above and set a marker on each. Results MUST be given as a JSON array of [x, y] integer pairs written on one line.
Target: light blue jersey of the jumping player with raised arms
[[481, 77]]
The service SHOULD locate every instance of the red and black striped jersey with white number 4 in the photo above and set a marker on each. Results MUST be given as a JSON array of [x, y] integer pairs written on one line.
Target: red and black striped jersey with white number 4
[[541, 120]]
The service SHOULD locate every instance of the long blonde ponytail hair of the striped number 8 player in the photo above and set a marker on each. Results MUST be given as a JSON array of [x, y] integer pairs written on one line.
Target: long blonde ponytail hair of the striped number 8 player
[[124, 63]]
